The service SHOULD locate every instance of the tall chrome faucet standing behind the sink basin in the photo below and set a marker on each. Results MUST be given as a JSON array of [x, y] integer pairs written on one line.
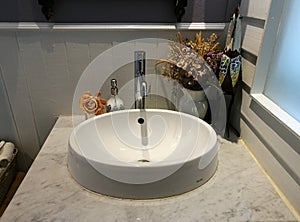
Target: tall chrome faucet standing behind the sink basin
[[140, 84]]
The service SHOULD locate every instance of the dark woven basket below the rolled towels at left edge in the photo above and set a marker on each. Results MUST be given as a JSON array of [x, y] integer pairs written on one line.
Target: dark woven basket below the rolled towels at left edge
[[7, 175]]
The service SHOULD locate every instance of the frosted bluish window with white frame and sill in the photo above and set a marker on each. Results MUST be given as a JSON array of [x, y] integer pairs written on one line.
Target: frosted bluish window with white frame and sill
[[277, 80]]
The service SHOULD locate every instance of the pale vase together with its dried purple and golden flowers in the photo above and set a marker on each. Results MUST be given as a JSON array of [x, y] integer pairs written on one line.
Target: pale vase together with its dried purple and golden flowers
[[192, 63]]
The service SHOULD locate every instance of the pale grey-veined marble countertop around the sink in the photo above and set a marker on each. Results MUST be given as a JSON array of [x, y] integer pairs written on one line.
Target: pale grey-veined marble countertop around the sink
[[239, 191]]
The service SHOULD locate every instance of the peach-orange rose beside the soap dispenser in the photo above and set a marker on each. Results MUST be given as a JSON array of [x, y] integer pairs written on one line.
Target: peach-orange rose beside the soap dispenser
[[92, 104]]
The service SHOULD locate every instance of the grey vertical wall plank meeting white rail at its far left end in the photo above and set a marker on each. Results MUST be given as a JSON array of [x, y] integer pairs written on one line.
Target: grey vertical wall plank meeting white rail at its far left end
[[19, 97]]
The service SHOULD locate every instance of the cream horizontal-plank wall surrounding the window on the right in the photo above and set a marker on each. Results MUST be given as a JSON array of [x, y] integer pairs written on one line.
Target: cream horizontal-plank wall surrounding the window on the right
[[275, 147]]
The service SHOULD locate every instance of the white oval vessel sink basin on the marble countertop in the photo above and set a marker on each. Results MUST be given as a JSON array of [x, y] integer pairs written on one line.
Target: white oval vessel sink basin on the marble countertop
[[142, 154]]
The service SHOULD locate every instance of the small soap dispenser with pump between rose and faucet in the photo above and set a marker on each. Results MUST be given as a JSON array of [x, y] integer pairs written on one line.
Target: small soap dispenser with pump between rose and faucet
[[115, 102]]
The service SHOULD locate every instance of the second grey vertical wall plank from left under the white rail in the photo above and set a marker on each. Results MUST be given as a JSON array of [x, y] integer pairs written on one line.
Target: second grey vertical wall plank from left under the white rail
[[41, 95]]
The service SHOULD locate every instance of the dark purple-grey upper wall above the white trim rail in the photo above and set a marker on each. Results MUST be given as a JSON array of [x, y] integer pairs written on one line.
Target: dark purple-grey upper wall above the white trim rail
[[118, 11]]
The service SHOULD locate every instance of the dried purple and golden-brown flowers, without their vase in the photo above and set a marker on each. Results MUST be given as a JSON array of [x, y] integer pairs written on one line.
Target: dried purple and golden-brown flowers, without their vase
[[183, 63]]
